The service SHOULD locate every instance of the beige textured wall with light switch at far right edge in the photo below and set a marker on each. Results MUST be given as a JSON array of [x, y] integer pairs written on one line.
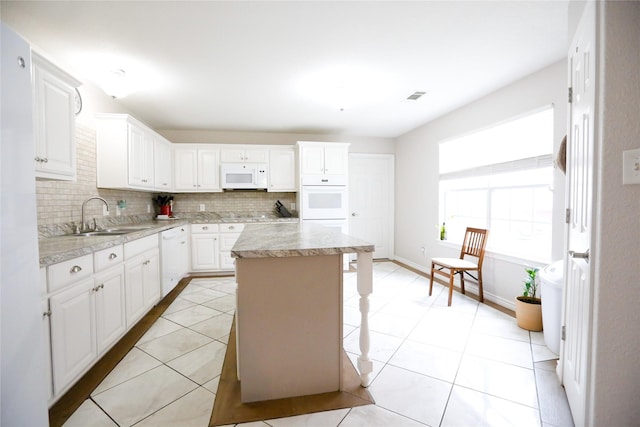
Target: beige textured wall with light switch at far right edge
[[616, 283]]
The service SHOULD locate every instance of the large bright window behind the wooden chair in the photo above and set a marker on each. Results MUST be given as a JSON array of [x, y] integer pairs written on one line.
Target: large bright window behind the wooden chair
[[500, 178]]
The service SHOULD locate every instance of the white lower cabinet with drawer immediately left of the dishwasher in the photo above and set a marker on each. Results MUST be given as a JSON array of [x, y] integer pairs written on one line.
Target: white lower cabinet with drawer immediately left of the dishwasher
[[142, 277]]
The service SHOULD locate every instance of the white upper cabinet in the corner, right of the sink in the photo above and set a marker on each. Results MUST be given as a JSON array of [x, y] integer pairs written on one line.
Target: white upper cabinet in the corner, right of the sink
[[130, 155]]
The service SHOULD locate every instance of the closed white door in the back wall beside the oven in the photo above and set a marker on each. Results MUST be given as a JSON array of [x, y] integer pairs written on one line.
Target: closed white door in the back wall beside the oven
[[371, 201]]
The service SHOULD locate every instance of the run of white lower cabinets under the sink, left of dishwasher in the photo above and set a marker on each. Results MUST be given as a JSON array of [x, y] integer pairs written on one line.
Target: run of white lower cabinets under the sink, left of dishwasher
[[90, 302]]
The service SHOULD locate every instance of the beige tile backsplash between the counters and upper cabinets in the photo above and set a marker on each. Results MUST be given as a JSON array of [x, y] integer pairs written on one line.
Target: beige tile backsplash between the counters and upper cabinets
[[61, 201]]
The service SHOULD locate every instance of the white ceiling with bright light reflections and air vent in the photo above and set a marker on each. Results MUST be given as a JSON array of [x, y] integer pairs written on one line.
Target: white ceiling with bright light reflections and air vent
[[222, 65]]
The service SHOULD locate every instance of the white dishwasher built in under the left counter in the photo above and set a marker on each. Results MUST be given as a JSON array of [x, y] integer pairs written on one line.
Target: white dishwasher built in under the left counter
[[175, 257]]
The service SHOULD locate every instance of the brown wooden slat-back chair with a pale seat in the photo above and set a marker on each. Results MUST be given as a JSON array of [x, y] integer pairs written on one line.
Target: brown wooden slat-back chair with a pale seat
[[475, 240]]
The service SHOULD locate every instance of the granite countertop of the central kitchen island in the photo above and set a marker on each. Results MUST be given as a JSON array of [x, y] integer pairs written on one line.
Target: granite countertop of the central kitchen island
[[301, 239]]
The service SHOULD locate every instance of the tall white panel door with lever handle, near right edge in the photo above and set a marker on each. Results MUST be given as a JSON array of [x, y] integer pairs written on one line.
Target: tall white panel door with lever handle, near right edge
[[580, 155]]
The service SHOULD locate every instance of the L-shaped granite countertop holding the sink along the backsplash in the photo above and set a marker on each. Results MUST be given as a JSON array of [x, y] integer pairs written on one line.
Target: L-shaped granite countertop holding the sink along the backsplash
[[58, 248]]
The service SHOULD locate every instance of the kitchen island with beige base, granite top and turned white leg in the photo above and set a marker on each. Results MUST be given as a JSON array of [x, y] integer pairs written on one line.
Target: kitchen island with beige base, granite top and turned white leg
[[289, 309]]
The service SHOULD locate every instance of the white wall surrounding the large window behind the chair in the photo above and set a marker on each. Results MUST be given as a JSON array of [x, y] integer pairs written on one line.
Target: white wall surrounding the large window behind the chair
[[417, 176]]
